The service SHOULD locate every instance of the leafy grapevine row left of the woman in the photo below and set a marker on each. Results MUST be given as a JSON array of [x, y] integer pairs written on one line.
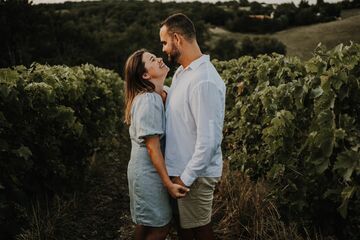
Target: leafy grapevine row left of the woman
[[51, 122]]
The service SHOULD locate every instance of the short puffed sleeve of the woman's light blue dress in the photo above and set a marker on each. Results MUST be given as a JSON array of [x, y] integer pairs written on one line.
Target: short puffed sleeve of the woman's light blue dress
[[147, 116]]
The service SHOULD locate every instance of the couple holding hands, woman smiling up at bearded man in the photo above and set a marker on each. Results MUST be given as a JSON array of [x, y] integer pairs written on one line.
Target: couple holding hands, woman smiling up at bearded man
[[191, 113]]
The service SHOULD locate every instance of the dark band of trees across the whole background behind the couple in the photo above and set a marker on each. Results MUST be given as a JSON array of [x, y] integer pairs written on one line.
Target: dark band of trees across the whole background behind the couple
[[104, 33]]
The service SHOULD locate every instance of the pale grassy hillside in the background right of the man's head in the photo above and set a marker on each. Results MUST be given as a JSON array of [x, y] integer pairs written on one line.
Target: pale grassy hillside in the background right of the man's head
[[301, 41]]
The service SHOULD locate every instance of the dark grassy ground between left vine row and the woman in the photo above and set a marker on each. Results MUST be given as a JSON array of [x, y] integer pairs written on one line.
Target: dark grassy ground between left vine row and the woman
[[100, 211]]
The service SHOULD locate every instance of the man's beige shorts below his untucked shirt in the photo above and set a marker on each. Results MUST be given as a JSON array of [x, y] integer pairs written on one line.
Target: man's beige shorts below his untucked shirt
[[195, 208]]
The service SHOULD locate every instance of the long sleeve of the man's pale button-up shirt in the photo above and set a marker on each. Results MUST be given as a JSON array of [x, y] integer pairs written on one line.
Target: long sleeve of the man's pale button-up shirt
[[207, 105]]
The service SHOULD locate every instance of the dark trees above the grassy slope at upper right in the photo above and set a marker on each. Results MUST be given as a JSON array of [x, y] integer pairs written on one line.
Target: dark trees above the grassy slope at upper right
[[255, 17]]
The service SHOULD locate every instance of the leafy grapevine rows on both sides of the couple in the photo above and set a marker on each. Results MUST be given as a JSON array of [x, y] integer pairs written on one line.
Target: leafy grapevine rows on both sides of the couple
[[292, 125]]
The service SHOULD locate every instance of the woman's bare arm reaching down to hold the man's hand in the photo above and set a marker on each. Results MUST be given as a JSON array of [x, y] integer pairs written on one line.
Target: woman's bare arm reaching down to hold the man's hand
[[157, 159]]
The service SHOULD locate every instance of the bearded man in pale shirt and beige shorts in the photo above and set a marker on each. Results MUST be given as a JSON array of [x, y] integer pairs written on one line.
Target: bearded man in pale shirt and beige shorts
[[194, 121]]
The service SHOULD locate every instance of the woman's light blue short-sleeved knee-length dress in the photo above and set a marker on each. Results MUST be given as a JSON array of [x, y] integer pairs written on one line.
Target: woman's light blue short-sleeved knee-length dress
[[149, 199]]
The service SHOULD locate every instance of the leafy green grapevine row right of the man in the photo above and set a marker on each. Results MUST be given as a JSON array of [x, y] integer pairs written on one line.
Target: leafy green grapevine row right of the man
[[298, 125]]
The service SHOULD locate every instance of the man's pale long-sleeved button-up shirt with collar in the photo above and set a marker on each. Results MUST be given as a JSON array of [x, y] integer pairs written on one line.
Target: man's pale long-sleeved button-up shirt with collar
[[194, 121]]
